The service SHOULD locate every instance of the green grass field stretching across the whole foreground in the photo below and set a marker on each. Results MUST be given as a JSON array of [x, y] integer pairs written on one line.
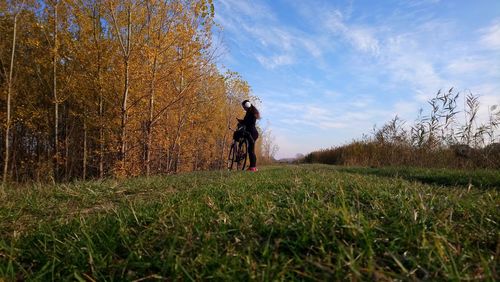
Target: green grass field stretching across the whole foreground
[[311, 222]]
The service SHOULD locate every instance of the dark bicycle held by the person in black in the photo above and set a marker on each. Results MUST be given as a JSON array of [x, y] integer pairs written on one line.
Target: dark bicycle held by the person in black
[[238, 152]]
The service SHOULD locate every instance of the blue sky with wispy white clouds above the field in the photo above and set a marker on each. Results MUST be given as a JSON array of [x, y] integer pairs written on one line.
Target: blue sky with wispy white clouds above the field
[[327, 71]]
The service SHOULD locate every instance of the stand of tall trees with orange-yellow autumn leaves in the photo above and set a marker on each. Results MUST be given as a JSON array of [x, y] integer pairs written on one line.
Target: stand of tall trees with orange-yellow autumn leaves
[[94, 88]]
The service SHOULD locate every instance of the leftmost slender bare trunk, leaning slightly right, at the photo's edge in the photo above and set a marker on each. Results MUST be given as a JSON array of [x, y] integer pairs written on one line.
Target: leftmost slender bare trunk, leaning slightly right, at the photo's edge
[[9, 98]]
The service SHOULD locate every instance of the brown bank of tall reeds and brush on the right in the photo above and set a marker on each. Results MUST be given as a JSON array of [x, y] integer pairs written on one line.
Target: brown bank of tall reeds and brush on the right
[[446, 136]]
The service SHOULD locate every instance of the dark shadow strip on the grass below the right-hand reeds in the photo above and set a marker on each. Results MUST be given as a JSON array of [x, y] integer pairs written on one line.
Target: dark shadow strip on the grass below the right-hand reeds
[[444, 177]]
